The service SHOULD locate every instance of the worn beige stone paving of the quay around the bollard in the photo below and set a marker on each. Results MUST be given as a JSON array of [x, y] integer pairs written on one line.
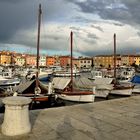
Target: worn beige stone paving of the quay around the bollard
[[107, 120]]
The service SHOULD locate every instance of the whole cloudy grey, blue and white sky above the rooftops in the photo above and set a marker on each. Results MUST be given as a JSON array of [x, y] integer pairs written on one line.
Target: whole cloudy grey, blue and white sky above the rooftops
[[93, 23]]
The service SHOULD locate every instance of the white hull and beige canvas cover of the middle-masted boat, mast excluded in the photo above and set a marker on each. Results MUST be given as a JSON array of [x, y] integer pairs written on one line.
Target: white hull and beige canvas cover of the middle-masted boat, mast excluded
[[61, 86]]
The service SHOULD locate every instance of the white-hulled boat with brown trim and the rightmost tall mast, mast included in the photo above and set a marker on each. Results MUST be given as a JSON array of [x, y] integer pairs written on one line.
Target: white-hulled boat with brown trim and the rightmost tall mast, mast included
[[120, 89]]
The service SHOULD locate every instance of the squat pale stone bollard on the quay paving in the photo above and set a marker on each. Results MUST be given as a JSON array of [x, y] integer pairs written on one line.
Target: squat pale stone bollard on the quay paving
[[16, 117]]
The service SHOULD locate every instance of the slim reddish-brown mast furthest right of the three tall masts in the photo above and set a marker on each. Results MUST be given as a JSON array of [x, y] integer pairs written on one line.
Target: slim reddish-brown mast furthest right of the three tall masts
[[115, 60]]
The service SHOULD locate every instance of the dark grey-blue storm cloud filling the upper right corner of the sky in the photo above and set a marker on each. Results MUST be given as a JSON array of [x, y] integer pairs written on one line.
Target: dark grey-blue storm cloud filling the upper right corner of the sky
[[125, 11]]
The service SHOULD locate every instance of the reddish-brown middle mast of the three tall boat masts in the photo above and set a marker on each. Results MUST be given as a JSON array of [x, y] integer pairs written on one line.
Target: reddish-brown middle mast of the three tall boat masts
[[71, 43]]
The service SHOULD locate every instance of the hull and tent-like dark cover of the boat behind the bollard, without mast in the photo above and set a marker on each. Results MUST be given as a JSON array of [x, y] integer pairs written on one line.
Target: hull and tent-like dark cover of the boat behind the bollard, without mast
[[28, 88]]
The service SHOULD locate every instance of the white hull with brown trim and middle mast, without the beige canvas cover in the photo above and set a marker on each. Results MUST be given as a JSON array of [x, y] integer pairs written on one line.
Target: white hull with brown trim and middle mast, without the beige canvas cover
[[71, 94]]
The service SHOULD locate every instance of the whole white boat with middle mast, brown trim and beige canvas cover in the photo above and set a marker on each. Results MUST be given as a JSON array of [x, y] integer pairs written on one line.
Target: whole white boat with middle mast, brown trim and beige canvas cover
[[68, 92]]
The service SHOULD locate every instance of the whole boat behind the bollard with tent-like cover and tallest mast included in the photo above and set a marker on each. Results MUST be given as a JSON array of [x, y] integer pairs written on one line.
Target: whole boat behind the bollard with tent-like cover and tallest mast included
[[34, 89]]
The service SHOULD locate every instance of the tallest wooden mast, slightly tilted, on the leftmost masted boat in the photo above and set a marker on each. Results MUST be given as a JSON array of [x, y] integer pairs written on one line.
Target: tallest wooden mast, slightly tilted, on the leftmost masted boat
[[38, 44]]
